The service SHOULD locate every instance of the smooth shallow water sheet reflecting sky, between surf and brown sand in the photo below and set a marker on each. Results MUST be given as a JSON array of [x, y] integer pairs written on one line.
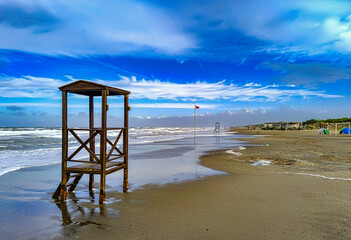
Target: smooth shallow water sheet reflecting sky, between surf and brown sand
[[28, 211]]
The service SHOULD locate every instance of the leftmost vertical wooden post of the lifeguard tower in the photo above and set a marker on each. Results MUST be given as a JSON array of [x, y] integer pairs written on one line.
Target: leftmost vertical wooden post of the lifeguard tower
[[64, 176]]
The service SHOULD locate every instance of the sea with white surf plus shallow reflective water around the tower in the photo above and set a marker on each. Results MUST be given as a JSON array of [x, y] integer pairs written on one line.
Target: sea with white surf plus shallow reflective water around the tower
[[30, 171]]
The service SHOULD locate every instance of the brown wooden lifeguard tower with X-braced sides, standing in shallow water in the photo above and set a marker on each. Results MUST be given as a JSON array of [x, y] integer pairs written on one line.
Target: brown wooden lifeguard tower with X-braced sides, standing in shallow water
[[108, 160]]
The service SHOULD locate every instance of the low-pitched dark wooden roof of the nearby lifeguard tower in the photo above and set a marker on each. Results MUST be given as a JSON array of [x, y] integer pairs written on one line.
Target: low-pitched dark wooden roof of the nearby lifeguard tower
[[87, 88]]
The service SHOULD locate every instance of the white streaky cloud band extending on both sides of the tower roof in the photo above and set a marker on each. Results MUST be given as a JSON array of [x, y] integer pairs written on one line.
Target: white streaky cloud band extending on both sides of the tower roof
[[30, 87]]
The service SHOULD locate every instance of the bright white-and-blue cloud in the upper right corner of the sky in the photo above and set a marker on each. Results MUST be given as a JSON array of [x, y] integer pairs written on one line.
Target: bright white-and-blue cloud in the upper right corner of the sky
[[314, 26]]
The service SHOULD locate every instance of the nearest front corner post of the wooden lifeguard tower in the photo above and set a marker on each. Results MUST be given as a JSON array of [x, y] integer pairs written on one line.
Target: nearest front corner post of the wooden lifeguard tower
[[103, 145]]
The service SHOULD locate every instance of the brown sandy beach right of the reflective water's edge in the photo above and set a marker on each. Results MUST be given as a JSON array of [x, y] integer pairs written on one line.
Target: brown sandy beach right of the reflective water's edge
[[304, 194]]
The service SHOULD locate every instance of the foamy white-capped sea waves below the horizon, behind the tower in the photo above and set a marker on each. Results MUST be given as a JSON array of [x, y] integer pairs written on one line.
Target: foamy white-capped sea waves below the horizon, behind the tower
[[28, 147]]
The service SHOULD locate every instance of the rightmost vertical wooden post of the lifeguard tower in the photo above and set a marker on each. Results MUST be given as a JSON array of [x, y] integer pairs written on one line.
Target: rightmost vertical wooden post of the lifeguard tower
[[125, 143]]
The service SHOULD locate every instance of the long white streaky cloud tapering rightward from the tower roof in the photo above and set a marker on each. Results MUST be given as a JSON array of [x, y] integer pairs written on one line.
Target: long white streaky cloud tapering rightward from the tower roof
[[155, 90]]
